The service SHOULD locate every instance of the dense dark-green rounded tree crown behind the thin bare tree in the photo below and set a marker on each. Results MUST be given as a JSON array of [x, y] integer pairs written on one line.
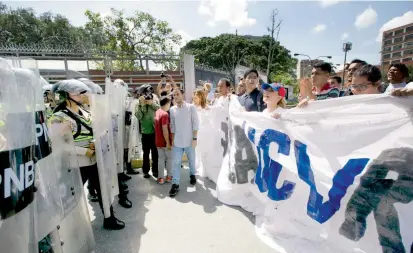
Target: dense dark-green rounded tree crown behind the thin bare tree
[[226, 51]]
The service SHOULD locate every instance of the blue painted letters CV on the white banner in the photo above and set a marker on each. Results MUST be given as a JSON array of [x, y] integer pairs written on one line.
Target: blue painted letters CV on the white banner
[[268, 172]]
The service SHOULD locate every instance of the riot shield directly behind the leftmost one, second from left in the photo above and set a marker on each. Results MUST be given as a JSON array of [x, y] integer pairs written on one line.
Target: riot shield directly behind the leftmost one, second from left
[[49, 209]]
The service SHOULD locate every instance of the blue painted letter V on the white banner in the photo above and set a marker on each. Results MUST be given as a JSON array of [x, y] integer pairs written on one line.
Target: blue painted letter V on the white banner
[[316, 209]]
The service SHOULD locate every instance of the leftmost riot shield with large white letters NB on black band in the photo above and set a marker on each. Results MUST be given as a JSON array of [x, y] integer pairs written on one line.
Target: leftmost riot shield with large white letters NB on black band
[[17, 164]]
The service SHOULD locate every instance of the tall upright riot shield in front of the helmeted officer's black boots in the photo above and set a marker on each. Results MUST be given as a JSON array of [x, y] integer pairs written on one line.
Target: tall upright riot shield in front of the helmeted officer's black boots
[[105, 151]]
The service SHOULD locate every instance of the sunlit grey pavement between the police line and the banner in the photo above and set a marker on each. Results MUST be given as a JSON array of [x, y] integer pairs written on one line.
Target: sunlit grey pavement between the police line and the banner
[[193, 222]]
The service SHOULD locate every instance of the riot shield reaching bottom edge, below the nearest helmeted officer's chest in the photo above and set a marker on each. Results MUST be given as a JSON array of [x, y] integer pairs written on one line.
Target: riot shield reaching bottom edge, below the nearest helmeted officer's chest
[[74, 232]]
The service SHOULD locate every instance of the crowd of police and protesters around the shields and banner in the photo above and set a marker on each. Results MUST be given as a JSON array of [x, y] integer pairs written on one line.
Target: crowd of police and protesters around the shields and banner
[[169, 125]]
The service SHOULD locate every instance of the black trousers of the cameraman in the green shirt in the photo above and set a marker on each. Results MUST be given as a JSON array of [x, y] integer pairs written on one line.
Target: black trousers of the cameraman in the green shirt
[[148, 146]]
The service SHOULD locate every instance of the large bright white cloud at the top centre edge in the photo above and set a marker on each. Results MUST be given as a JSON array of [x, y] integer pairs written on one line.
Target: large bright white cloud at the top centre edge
[[232, 11]]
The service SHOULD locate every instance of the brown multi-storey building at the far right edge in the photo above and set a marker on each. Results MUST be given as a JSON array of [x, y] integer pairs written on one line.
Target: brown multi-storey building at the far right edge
[[397, 46]]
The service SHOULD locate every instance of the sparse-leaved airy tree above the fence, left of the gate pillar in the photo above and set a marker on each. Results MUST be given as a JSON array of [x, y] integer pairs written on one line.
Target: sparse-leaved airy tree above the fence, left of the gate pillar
[[138, 35]]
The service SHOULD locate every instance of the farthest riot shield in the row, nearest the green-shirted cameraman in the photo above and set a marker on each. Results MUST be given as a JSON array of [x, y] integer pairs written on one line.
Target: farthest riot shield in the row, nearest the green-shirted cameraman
[[117, 95]]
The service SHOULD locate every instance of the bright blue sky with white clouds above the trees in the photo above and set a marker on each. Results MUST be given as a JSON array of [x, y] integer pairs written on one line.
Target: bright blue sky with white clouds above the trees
[[314, 28]]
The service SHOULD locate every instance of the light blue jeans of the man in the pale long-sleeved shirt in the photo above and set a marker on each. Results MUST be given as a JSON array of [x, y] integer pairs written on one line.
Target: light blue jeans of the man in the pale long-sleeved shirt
[[177, 154]]
